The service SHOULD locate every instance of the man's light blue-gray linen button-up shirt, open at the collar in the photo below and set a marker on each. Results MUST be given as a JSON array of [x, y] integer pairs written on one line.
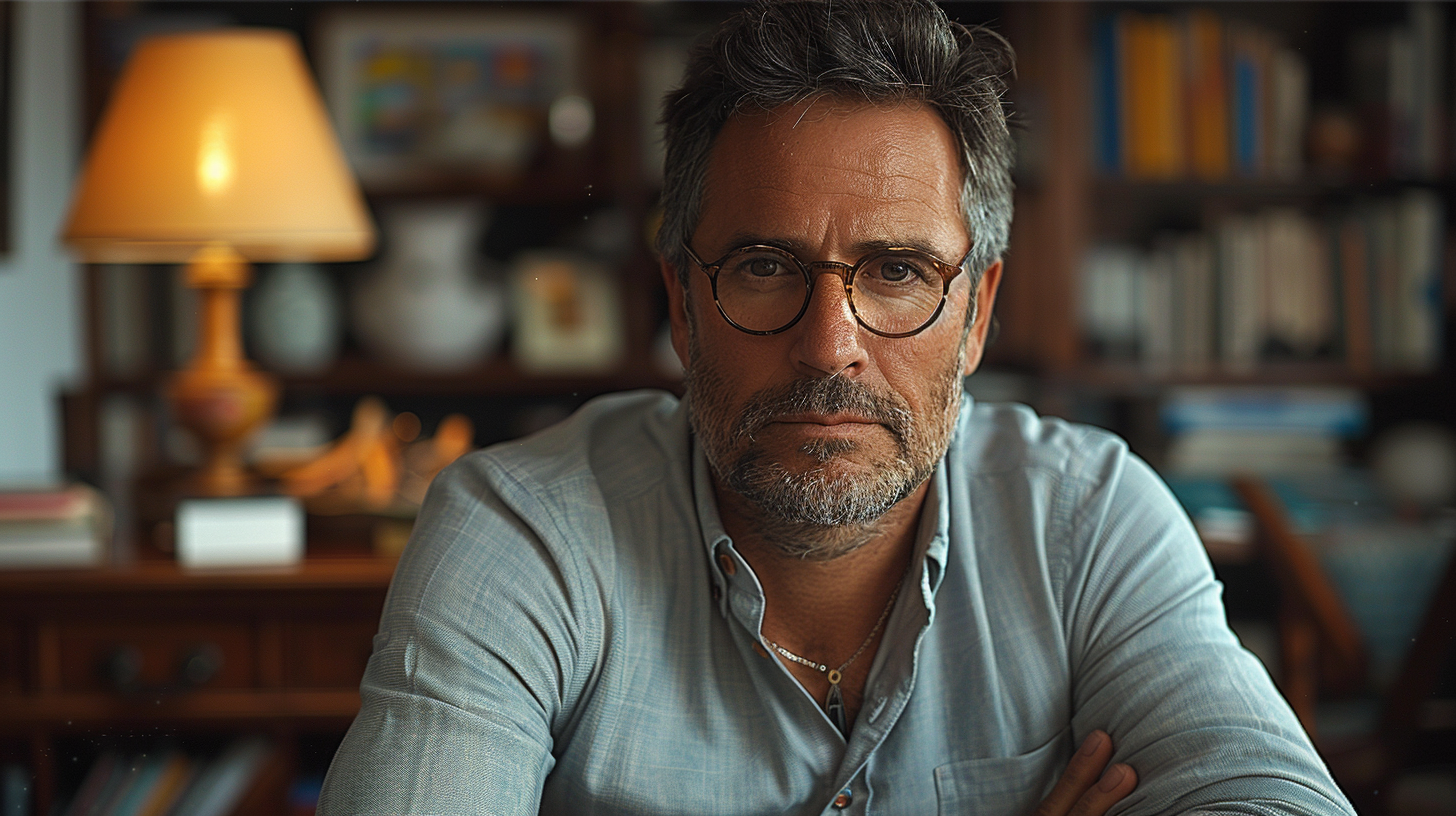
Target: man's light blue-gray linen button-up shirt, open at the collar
[[561, 637]]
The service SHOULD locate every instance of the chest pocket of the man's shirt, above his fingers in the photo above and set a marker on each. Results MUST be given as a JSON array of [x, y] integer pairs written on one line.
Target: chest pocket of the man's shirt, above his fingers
[[1002, 786]]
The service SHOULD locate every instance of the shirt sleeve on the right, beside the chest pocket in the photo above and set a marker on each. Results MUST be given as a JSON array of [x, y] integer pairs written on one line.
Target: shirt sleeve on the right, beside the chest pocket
[[1158, 668]]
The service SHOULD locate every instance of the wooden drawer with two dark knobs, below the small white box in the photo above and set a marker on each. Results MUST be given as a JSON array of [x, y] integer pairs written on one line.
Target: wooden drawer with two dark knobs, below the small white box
[[157, 656]]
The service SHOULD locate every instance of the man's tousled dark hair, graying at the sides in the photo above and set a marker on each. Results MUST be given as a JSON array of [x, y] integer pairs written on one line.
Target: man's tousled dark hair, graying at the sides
[[885, 53]]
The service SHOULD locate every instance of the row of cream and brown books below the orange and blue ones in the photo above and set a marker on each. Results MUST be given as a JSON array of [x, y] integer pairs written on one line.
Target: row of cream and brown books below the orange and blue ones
[[1361, 288]]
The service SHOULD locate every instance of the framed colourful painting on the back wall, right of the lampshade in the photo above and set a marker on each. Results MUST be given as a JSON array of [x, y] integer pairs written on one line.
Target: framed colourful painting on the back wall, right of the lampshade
[[442, 94]]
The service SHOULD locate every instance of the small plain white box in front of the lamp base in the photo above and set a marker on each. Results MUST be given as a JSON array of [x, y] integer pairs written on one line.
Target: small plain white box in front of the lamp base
[[240, 533]]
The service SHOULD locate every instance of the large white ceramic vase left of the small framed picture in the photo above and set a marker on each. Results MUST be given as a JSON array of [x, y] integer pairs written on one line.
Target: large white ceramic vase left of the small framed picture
[[429, 304]]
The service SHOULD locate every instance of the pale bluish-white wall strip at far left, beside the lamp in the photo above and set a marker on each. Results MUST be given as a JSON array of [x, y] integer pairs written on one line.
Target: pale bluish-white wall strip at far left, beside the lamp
[[40, 295]]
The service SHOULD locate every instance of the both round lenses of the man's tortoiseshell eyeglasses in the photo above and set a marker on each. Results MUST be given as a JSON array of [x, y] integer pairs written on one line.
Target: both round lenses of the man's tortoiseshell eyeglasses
[[893, 292]]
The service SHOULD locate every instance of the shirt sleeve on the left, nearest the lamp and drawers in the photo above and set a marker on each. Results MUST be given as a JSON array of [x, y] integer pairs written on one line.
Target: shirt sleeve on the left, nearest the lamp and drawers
[[475, 661]]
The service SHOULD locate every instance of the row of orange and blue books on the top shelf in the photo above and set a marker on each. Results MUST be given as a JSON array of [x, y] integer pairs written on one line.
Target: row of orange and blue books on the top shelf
[[1192, 95]]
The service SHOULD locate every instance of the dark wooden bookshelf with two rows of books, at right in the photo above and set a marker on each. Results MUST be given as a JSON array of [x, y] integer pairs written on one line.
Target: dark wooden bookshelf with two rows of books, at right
[[1342, 189]]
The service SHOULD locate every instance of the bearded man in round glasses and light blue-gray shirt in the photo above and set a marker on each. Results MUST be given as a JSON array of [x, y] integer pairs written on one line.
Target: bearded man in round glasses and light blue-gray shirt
[[826, 582]]
